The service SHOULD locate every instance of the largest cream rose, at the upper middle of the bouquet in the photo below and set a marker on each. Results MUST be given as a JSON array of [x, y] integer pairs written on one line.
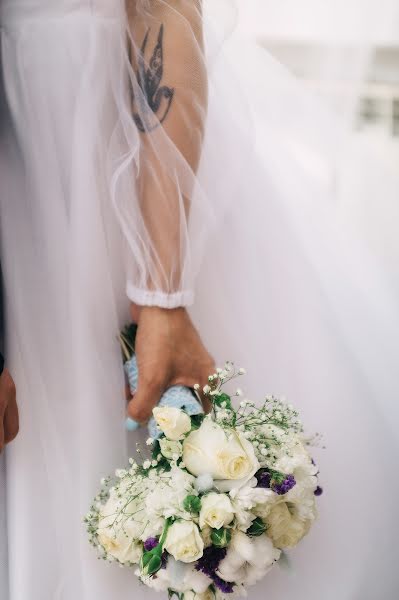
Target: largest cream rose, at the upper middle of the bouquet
[[227, 456]]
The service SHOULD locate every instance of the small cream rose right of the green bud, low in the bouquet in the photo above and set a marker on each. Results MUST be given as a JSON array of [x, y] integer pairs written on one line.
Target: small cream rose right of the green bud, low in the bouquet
[[183, 541]]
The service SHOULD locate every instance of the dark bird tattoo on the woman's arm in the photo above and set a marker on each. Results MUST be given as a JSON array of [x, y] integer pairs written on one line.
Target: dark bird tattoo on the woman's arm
[[152, 103]]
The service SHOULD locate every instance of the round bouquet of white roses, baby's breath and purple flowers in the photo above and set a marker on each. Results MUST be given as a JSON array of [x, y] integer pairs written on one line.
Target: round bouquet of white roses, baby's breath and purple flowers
[[217, 500]]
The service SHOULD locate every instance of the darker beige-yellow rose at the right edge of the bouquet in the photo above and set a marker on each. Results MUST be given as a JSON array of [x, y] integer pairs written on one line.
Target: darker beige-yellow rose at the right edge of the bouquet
[[286, 525]]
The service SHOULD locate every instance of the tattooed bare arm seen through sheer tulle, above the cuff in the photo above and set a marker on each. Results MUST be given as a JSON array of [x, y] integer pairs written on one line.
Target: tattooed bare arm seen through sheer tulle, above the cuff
[[169, 103]]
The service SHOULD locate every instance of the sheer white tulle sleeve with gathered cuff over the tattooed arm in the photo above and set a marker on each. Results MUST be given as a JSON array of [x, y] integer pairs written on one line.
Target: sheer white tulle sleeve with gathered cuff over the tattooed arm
[[162, 112]]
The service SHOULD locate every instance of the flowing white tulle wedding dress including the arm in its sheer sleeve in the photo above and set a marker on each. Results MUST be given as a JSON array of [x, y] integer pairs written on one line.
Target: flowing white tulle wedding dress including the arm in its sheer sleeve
[[95, 211]]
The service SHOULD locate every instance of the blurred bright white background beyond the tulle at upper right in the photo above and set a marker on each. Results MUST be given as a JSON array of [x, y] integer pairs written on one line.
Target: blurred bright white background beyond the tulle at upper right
[[348, 52]]
